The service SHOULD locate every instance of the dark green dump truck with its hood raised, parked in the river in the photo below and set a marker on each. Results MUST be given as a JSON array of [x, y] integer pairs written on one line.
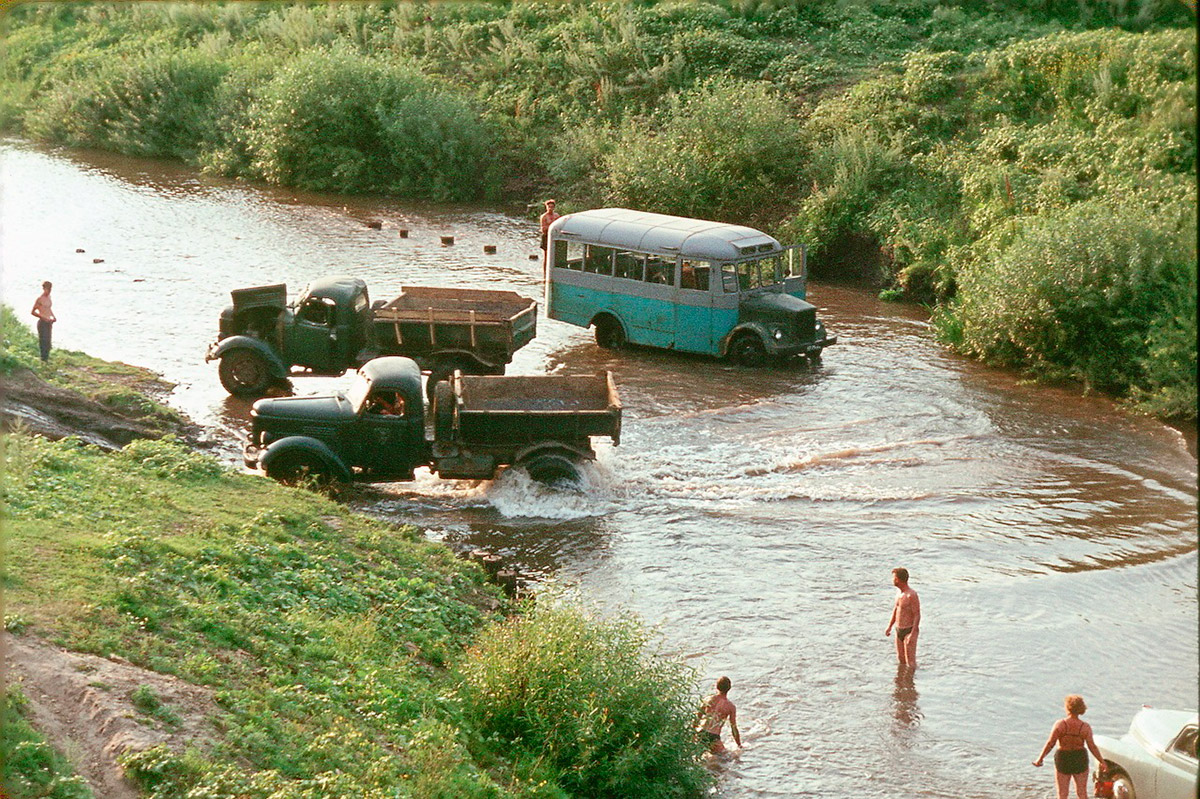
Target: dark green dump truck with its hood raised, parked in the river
[[333, 327]]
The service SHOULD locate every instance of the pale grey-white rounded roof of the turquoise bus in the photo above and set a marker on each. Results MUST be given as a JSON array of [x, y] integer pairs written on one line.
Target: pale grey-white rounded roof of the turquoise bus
[[659, 233]]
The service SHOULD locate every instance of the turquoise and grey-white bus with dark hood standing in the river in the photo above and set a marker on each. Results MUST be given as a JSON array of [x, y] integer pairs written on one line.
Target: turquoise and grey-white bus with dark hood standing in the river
[[679, 284]]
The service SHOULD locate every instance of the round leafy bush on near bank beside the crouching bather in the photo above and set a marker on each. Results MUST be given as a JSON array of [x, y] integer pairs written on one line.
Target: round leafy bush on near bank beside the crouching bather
[[584, 702]]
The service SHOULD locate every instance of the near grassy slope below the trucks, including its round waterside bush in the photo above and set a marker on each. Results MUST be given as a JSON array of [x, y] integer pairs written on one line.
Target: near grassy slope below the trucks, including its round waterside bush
[[345, 657]]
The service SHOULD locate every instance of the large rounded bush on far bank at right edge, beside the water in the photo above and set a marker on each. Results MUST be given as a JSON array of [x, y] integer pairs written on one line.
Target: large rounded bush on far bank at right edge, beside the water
[[1088, 295]]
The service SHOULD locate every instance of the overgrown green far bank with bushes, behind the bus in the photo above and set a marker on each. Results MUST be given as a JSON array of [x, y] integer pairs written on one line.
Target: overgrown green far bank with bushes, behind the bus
[[938, 143]]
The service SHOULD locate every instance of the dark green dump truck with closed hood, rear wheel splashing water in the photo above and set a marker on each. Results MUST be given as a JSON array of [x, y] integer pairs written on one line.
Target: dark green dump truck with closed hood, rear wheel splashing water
[[376, 431]]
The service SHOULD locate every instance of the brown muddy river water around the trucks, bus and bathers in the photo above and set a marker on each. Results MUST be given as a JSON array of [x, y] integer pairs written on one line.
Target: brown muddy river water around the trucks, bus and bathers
[[753, 515]]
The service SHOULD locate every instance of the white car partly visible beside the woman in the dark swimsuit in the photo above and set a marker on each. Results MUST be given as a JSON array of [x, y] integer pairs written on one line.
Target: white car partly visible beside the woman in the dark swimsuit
[[1155, 760]]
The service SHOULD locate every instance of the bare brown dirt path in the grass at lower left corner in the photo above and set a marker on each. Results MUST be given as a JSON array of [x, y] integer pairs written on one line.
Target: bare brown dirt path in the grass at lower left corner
[[83, 705]]
